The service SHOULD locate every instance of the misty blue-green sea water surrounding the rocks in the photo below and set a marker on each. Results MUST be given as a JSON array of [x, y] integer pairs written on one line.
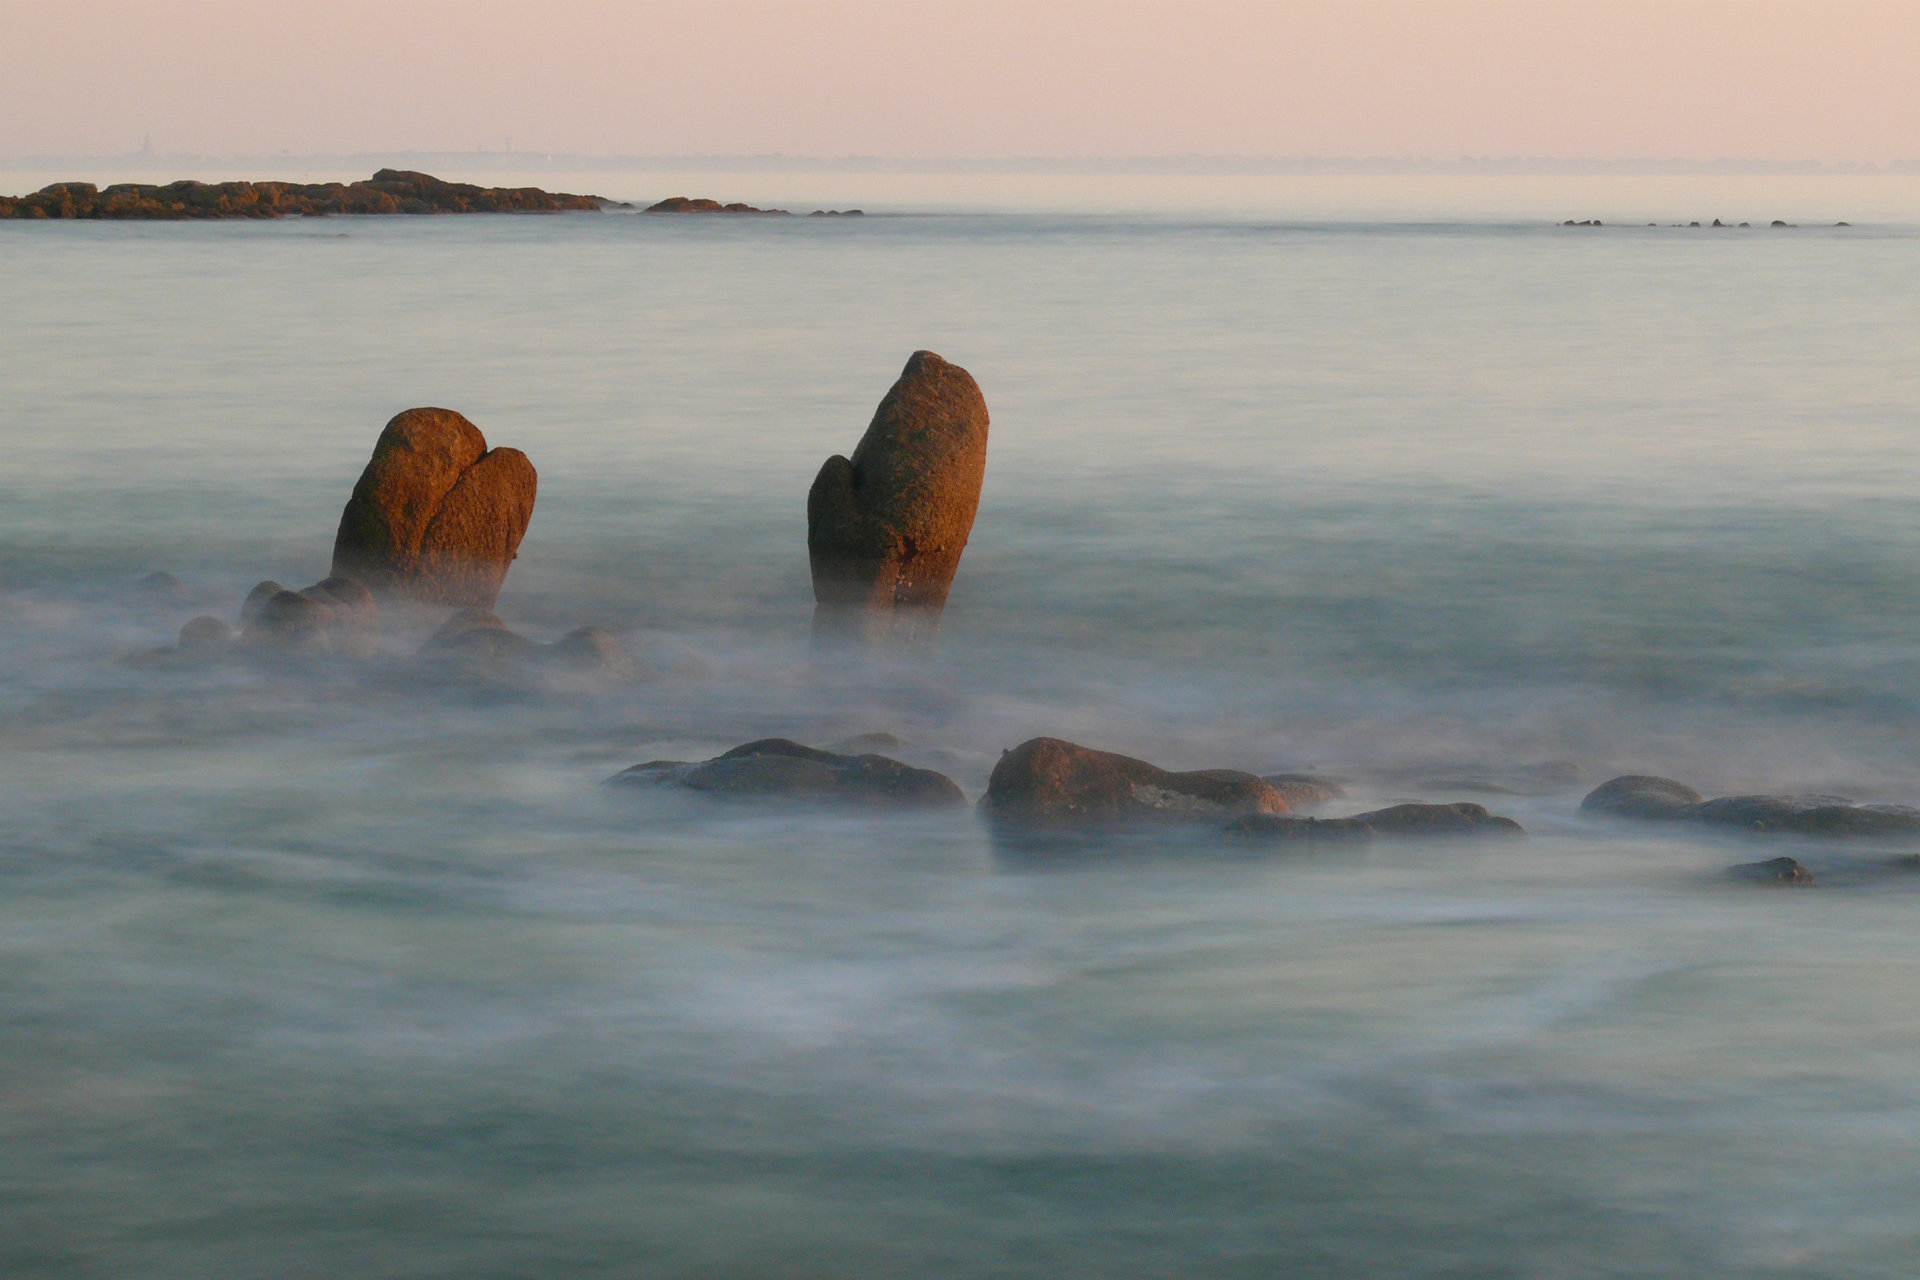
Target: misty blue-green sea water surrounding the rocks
[[1397, 481]]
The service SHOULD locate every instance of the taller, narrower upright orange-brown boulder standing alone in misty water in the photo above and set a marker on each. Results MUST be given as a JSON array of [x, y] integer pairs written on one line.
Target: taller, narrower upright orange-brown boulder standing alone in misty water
[[886, 527]]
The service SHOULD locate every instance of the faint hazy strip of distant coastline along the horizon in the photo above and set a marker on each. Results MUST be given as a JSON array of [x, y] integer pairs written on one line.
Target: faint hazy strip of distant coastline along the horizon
[[1067, 166]]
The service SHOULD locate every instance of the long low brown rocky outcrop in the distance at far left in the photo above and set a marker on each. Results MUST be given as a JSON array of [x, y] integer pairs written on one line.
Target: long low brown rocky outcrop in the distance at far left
[[389, 191]]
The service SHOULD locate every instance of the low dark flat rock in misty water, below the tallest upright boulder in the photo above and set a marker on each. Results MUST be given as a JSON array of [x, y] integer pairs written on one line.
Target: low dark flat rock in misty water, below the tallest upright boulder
[[784, 770]]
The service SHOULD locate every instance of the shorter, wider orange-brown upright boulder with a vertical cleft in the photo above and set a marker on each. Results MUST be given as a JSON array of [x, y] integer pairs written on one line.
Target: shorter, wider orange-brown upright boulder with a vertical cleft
[[437, 515]]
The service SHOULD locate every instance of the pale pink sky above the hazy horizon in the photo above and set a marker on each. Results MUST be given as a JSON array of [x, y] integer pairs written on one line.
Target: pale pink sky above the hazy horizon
[[1767, 80]]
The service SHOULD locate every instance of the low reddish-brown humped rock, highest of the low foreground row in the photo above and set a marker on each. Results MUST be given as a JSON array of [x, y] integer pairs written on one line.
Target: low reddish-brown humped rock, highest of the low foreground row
[[1055, 786]]
